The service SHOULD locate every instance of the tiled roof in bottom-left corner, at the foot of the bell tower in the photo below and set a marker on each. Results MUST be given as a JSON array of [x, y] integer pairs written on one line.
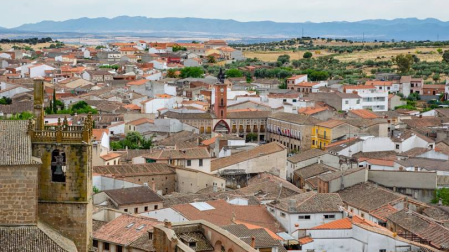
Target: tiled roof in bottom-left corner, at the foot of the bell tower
[[39, 237]]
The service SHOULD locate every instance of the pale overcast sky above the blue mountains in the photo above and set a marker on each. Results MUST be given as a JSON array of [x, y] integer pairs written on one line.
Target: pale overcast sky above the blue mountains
[[31, 11]]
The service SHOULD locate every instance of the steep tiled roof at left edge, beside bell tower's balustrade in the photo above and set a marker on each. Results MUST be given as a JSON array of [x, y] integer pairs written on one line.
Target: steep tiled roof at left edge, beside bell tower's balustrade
[[15, 143]]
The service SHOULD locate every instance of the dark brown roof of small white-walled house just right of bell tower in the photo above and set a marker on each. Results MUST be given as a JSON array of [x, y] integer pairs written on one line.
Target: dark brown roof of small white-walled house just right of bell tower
[[133, 195]]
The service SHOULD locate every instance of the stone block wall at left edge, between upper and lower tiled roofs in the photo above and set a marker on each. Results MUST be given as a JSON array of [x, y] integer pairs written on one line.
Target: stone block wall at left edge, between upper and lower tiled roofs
[[18, 195]]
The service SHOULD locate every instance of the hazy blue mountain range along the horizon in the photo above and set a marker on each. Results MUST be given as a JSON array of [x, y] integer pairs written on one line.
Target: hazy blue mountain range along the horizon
[[398, 29]]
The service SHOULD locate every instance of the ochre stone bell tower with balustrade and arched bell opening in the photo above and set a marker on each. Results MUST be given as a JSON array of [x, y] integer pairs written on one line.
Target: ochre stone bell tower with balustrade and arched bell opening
[[65, 176]]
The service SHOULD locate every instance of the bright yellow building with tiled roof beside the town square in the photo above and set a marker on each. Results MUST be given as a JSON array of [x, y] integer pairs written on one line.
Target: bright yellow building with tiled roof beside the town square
[[326, 132]]
